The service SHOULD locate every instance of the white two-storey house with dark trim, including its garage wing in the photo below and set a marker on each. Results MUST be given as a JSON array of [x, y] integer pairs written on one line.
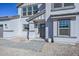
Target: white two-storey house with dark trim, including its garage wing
[[44, 21]]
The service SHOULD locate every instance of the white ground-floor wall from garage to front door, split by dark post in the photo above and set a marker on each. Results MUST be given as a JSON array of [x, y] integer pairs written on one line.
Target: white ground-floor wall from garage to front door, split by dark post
[[12, 28]]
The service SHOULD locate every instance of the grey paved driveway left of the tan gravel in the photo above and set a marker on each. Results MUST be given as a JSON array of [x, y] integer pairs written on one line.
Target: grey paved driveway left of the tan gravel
[[29, 45]]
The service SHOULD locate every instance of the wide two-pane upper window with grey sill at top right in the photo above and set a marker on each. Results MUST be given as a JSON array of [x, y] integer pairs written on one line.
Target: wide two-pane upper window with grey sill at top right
[[62, 6]]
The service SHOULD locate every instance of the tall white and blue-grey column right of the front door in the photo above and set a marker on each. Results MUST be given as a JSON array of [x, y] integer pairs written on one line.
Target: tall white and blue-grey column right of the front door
[[49, 23]]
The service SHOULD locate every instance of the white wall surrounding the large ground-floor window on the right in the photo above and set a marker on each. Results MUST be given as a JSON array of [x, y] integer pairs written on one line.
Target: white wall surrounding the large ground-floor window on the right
[[74, 26]]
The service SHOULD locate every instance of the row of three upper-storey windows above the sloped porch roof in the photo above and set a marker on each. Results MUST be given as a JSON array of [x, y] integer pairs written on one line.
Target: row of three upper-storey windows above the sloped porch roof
[[30, 10]]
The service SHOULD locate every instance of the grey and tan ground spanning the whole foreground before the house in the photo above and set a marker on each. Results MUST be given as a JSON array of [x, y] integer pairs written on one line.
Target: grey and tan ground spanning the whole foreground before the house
[[37, 48]]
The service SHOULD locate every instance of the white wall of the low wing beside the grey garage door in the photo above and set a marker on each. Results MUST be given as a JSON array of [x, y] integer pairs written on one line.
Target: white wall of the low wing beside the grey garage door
[[11, 28]]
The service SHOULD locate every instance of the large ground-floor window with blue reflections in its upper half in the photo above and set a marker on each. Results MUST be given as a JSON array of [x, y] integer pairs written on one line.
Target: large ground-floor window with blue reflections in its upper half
[[64, 27]]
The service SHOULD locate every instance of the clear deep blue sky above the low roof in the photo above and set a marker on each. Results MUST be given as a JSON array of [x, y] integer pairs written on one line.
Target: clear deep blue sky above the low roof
[[8, 9]]
